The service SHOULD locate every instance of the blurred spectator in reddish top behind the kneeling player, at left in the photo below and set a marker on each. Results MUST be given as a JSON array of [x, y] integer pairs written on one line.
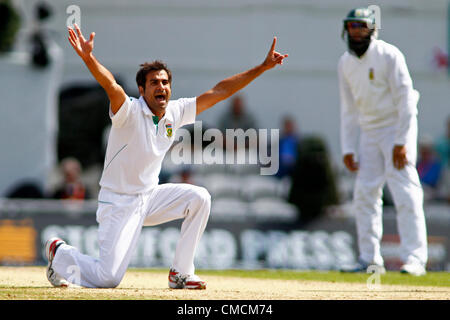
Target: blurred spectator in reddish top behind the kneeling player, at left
[[72, 186]]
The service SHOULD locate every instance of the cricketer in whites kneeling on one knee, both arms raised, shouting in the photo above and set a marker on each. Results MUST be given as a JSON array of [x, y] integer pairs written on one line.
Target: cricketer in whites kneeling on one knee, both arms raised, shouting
[[142, 132]]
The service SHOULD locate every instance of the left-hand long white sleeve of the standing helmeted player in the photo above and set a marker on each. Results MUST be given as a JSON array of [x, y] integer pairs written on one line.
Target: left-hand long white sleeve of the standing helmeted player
[[349, 115]]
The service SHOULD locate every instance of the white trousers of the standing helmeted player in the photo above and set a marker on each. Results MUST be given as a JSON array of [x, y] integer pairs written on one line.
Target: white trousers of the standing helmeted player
[[375, 169]]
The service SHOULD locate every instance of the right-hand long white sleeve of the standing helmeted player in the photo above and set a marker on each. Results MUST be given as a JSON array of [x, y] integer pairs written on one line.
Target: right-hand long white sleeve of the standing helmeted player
[[404, 95]]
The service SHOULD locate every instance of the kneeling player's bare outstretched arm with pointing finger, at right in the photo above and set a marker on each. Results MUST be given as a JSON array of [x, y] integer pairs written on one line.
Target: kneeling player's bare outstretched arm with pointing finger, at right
[[233, 84]]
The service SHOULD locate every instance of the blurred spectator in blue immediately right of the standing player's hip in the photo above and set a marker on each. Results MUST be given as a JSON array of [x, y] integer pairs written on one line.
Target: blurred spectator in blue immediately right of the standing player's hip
[[429, 168]]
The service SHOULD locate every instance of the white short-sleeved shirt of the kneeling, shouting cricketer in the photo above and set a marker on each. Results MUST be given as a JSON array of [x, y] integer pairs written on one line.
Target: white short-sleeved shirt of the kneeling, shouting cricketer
[[137, 146]]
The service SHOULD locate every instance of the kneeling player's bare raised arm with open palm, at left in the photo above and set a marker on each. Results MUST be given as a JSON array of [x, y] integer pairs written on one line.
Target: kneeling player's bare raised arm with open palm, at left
[[104, 77]]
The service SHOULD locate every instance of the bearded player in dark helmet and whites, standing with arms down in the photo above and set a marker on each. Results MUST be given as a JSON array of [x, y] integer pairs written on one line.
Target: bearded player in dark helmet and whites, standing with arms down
[[377, 95]]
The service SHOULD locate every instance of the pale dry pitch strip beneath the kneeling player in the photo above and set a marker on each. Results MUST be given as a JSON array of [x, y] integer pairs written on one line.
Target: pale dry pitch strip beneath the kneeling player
[[25, 283]]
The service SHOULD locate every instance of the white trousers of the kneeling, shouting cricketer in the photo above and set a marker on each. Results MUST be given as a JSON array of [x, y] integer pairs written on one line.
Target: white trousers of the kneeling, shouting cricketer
[[121, 218]]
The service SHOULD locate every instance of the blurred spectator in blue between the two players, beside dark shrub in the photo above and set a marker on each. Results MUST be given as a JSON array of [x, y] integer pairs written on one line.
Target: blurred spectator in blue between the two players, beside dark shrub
[[289, 144]]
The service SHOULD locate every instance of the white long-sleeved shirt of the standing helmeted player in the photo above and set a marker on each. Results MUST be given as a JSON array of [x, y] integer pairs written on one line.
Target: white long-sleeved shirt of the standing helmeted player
[[376, 91]]
